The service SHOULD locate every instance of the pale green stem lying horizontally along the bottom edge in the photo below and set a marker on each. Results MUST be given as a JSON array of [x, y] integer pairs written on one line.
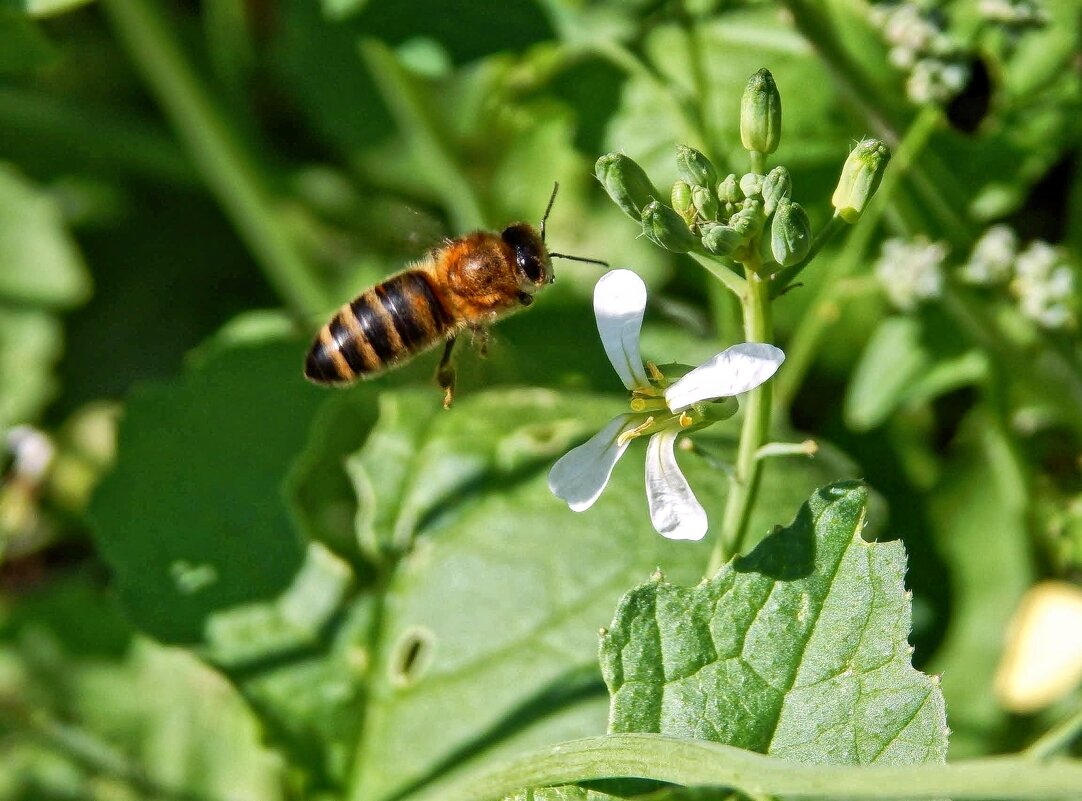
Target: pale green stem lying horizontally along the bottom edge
[[700, 764]]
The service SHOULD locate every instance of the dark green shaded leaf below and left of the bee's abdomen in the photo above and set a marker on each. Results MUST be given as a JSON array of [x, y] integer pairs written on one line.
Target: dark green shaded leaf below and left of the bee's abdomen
[[194, 521]]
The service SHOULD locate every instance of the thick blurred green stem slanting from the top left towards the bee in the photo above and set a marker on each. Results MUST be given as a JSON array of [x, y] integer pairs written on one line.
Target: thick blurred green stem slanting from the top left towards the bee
[[218, 154]]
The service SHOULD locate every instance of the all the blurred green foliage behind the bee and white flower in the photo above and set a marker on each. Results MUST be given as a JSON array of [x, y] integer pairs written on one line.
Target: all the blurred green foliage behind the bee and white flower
[[280, 592]]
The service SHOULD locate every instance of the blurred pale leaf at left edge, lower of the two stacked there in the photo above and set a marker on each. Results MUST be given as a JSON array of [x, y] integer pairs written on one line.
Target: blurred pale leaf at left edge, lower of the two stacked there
[[30, 346]]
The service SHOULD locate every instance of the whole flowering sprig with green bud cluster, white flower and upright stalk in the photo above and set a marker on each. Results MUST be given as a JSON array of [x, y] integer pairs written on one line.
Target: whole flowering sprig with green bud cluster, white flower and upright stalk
[[751, 235]]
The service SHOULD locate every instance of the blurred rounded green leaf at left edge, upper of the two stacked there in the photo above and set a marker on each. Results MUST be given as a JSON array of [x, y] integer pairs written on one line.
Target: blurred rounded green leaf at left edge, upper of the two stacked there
[[39, 264]]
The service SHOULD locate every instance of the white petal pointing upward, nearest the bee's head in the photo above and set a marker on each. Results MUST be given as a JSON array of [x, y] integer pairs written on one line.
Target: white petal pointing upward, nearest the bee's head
[[619, 304]]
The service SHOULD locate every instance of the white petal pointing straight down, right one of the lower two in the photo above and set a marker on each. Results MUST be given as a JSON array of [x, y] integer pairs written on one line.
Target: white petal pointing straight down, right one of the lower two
[[675, 511]]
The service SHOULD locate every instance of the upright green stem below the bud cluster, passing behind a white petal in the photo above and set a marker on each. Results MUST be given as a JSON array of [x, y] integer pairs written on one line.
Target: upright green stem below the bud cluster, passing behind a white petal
[[744, 485]]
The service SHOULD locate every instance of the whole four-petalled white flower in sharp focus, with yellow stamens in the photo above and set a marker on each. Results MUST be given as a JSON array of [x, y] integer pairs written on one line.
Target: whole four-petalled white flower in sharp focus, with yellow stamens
[[659, 409]]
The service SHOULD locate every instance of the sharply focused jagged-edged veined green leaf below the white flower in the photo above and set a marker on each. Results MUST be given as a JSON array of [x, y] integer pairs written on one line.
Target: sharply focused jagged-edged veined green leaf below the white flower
[[798, 650]]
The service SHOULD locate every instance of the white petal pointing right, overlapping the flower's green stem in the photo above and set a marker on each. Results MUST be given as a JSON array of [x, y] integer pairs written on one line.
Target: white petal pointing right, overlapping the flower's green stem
[[734, 371]]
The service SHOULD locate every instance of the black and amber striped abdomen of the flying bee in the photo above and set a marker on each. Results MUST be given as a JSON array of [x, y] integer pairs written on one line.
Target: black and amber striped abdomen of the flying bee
[[382, 327]]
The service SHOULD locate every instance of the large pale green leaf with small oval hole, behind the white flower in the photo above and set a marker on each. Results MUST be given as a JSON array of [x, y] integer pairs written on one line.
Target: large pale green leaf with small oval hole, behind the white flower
[[493, 611]]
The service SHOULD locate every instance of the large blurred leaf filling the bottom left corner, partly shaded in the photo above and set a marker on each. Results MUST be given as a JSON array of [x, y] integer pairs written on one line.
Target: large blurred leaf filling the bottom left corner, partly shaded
[[115, 711]]
